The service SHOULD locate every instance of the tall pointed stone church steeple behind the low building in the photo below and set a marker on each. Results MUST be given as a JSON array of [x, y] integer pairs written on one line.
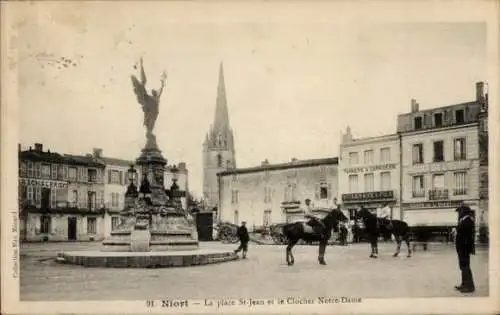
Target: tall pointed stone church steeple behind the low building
[[218, 148]]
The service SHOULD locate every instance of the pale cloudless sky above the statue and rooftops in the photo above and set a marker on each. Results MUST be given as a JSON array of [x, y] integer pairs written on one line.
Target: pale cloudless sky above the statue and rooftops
[[292, 84]]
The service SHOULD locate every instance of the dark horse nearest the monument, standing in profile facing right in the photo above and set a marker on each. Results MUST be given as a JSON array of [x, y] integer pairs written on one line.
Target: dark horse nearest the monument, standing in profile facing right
[[303, 230]]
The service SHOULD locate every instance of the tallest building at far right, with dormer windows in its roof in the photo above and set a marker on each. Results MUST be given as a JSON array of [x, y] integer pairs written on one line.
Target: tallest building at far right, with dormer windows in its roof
[[440, 161]]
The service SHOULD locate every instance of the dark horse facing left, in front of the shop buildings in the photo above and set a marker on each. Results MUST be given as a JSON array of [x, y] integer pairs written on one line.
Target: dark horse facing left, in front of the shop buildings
[[375, 226]]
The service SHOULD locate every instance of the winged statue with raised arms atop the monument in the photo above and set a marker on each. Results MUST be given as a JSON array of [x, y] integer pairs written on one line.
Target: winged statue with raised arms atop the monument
[[149, 102]]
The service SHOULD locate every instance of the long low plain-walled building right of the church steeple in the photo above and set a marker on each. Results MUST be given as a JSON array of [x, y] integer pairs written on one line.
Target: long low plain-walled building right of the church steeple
[[275, 193]]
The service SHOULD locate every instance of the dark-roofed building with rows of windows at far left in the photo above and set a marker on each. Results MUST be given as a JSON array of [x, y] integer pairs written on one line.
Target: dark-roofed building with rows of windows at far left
[[59, 196]]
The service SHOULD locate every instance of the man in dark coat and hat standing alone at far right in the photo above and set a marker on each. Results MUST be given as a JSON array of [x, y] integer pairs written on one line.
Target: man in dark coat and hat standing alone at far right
[[464, 243]]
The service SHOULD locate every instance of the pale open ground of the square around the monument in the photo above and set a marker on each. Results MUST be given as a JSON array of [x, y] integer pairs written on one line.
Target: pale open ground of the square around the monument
[[264, 274]]
